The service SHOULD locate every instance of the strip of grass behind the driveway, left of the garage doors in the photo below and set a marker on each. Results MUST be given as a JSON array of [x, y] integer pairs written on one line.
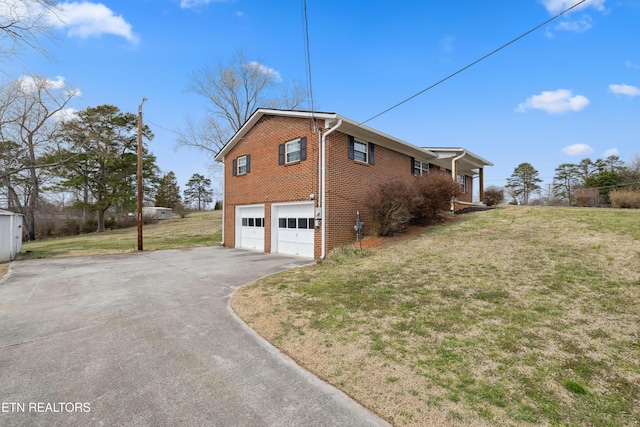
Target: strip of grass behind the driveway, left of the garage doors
[[196, 229]]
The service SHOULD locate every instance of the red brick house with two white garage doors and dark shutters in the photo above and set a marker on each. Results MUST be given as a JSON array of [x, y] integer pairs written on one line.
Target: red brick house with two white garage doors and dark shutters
[[294, 180]]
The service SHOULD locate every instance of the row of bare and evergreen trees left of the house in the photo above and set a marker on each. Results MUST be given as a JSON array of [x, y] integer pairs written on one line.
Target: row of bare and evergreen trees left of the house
[[89, 157]]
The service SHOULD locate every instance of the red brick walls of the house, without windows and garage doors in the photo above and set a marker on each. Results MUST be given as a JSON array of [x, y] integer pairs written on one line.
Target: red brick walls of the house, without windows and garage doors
[[348, 181]]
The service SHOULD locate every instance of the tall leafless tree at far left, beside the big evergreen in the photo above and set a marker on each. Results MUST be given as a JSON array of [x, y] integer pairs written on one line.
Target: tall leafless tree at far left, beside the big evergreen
[[28, 110]]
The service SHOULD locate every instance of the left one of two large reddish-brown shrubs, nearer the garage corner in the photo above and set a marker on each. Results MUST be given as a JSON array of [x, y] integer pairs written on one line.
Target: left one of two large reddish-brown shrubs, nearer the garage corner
[[390, 206]]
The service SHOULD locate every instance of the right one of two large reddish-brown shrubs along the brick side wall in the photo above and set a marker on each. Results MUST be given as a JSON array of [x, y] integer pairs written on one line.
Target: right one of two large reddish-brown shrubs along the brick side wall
[[433, 194]]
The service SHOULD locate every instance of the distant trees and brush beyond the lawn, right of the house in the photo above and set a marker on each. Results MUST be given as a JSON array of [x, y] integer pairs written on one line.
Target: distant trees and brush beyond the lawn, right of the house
[[587, 183]]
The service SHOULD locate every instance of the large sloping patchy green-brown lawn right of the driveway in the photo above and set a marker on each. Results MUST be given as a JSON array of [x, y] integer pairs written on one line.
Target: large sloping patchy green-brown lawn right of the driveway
[[514, 316]]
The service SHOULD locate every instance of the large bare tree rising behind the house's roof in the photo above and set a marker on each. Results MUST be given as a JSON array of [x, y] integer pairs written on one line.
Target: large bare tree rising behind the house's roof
[[234, 90]]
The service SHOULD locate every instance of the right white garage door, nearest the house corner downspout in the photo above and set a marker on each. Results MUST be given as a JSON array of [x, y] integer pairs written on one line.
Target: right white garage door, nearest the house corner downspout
[[295, 235]]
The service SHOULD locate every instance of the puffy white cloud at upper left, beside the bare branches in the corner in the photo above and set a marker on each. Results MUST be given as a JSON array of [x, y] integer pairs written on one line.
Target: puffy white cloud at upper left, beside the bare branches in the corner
[[86, 19]]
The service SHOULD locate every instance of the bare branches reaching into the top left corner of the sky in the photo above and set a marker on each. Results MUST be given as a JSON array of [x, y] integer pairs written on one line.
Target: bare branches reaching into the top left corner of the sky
[[24, 24]]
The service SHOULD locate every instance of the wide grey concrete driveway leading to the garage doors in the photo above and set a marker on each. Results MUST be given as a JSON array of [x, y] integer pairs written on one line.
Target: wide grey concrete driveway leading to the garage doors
[[149, 339]]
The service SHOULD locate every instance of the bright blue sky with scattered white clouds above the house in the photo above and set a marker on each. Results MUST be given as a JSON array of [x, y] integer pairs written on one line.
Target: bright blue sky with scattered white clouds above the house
[[566, 91]]
